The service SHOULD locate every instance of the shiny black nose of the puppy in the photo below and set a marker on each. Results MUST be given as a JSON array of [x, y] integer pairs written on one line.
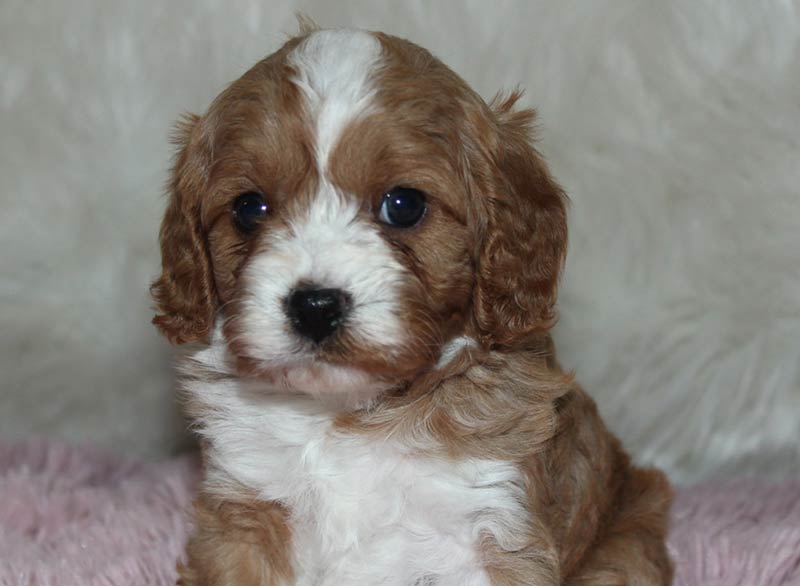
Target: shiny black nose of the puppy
[[316, 313]]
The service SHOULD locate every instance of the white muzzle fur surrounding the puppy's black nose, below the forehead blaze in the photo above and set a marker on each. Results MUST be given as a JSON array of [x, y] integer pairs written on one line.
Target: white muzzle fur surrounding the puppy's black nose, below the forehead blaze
[[331, 245]]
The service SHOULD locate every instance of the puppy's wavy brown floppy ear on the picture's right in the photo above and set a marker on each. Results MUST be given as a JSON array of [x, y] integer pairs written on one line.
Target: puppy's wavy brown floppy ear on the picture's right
[[525, 237]]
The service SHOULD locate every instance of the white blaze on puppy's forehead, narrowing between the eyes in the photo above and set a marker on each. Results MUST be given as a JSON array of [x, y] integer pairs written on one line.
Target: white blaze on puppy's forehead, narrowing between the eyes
[[333, 70]]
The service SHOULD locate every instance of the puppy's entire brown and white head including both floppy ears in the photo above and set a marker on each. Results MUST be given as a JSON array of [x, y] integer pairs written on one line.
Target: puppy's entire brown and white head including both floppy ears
[[349, 206]]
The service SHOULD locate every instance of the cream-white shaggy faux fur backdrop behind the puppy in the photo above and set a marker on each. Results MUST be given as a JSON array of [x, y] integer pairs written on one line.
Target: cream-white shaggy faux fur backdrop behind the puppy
[[674, 126]]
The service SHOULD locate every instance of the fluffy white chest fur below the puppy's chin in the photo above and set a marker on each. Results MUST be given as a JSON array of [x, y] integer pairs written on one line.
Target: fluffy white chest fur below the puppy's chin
[[362, 512]]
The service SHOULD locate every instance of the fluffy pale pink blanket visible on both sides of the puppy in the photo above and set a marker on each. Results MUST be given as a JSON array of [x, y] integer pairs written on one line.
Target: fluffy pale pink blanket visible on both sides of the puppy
[[76, 516]]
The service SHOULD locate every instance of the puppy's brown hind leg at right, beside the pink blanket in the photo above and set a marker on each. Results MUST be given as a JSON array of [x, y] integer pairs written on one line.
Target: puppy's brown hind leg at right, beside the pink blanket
[[632, 551]]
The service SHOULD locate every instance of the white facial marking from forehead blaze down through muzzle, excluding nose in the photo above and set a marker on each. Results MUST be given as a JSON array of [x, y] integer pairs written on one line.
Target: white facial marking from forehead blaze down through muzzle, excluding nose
[[328, 244]]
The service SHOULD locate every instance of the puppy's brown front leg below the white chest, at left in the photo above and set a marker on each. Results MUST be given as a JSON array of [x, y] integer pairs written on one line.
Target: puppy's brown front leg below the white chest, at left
[[237, 544]]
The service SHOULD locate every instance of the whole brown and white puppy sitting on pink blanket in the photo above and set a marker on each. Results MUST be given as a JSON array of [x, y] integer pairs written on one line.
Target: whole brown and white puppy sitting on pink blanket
[[370, 254]]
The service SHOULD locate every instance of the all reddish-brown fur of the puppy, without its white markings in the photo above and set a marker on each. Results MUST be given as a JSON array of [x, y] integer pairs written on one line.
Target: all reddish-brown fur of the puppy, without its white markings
[[484, 263]]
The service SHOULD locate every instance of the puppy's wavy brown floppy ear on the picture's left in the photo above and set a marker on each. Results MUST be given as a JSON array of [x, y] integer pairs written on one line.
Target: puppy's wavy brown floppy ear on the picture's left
[[184, 294]]
